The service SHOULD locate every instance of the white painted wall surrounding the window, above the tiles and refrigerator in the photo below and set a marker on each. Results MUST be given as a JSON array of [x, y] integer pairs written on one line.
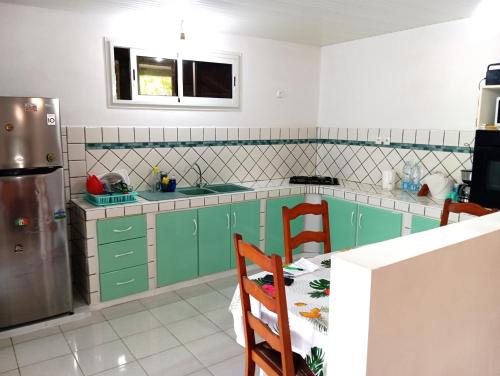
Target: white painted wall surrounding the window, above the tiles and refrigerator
[[60, 54]]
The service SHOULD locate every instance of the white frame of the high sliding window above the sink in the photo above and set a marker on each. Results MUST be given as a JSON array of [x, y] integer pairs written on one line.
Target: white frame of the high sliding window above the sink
[[179, 101]]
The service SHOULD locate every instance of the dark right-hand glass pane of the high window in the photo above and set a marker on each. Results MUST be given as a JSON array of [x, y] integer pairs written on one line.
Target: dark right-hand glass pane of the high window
[[207, 79]]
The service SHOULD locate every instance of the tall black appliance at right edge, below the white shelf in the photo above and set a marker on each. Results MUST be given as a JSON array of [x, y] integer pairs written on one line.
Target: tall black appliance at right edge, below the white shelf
[[485, 188]]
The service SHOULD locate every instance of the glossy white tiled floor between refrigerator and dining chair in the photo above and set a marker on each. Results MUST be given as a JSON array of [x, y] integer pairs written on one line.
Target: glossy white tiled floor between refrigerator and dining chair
[[186, 332]]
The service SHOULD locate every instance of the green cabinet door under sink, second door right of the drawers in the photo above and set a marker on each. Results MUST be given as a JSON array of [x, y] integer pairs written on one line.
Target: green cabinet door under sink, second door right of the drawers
[[213, 240]]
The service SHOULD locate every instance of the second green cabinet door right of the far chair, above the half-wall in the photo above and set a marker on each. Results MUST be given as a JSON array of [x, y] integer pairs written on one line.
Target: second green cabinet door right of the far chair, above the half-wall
[[376, 225]]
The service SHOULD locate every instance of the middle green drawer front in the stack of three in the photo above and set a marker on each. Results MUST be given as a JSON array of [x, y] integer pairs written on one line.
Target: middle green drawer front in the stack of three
[[121, 255]]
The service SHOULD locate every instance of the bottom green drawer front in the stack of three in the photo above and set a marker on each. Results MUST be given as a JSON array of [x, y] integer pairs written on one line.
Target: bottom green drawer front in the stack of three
[[124, 282]]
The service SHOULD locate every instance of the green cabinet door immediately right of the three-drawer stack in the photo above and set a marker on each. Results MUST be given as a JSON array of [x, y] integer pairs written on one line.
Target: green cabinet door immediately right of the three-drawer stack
[[176, 246]]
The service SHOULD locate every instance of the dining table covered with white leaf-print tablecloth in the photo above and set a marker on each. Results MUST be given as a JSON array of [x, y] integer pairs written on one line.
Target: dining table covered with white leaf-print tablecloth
[[308, 310]]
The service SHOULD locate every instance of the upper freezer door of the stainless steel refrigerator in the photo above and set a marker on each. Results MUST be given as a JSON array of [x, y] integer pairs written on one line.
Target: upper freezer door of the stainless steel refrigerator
[[29, 133]]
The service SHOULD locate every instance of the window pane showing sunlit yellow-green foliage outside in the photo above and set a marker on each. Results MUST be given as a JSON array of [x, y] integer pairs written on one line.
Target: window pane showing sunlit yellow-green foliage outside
[[156, 76]]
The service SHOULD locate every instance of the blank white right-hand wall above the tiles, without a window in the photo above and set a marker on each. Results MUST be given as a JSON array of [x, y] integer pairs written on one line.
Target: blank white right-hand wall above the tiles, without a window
[[422, 78]]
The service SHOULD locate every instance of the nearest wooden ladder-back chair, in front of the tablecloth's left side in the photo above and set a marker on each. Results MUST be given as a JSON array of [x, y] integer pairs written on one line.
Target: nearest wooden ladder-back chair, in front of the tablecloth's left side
[[274, 355]]
